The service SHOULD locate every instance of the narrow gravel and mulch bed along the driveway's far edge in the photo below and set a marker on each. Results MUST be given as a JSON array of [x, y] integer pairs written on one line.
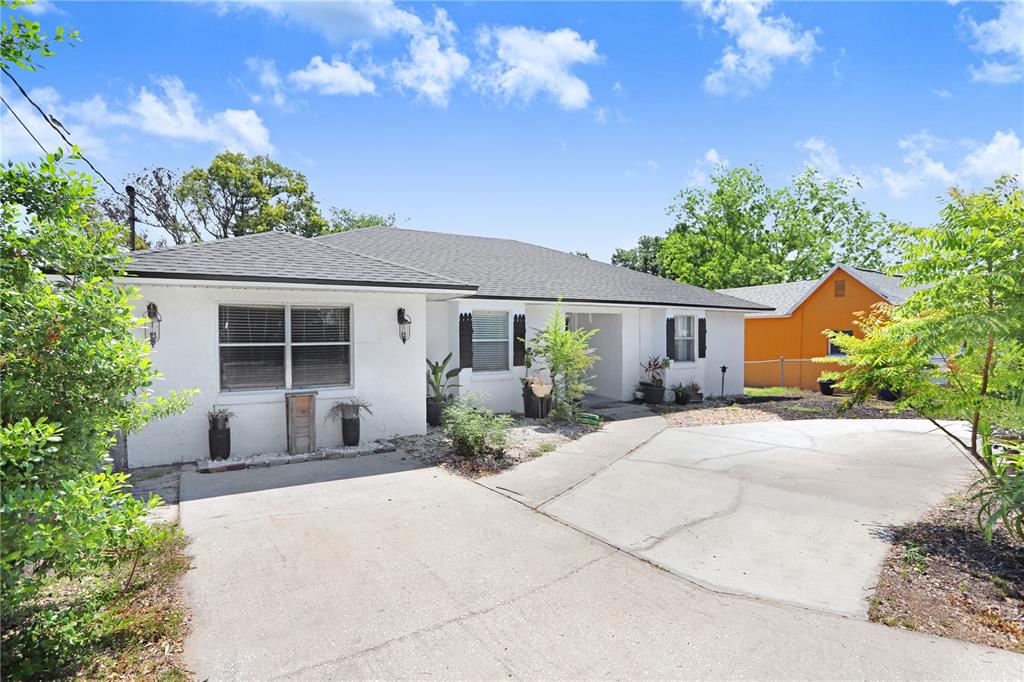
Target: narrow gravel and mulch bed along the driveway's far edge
[[804, 406]]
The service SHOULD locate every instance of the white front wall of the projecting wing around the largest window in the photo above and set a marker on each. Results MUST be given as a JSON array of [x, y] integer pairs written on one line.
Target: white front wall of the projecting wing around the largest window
[[386, 373]]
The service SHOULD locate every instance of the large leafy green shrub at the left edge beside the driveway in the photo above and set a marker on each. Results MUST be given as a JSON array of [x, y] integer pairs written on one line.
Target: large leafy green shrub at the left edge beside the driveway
[[74, 372]]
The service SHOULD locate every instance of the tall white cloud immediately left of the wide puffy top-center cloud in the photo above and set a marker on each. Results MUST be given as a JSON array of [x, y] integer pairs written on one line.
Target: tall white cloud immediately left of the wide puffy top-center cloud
[[434, 65]]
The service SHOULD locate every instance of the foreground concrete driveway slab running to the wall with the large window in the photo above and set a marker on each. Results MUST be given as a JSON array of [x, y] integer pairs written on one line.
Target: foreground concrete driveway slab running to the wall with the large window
[[376, 569]]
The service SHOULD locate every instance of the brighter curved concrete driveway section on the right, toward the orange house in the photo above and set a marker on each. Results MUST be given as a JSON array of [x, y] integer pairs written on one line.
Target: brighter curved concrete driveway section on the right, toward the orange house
[[796, 511]]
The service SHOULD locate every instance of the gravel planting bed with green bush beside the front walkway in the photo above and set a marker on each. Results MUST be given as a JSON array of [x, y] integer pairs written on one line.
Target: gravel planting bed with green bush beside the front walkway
[[528, 439]]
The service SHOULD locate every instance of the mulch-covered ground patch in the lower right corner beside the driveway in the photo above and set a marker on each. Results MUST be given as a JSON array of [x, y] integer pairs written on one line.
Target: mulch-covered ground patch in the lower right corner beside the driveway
[[943, 578]]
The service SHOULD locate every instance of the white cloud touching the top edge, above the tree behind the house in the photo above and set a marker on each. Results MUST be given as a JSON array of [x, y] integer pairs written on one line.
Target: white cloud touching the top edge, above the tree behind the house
[[761, 42]]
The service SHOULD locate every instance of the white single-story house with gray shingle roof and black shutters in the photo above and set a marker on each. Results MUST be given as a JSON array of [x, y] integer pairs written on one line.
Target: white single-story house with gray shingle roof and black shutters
[[248, 321]]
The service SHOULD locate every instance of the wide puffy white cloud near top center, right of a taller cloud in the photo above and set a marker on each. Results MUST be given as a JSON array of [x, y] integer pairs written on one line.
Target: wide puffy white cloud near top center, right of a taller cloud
[[526, 63]]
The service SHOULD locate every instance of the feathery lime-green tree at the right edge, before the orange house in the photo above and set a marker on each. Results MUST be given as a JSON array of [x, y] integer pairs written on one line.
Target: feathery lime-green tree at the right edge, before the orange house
[[956, 350]]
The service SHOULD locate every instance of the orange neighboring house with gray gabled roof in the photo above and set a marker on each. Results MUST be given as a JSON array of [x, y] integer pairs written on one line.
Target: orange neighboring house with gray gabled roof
[[780, 346]]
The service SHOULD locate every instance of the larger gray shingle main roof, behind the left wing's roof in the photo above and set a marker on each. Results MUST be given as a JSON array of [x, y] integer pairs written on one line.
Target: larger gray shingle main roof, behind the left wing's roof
[[506, 269]]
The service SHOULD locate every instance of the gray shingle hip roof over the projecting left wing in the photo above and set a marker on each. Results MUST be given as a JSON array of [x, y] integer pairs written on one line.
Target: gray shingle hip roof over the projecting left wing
[[281, 258]]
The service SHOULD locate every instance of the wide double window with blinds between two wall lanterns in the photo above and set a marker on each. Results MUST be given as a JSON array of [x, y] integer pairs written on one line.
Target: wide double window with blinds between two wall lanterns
[[284, 348]]
